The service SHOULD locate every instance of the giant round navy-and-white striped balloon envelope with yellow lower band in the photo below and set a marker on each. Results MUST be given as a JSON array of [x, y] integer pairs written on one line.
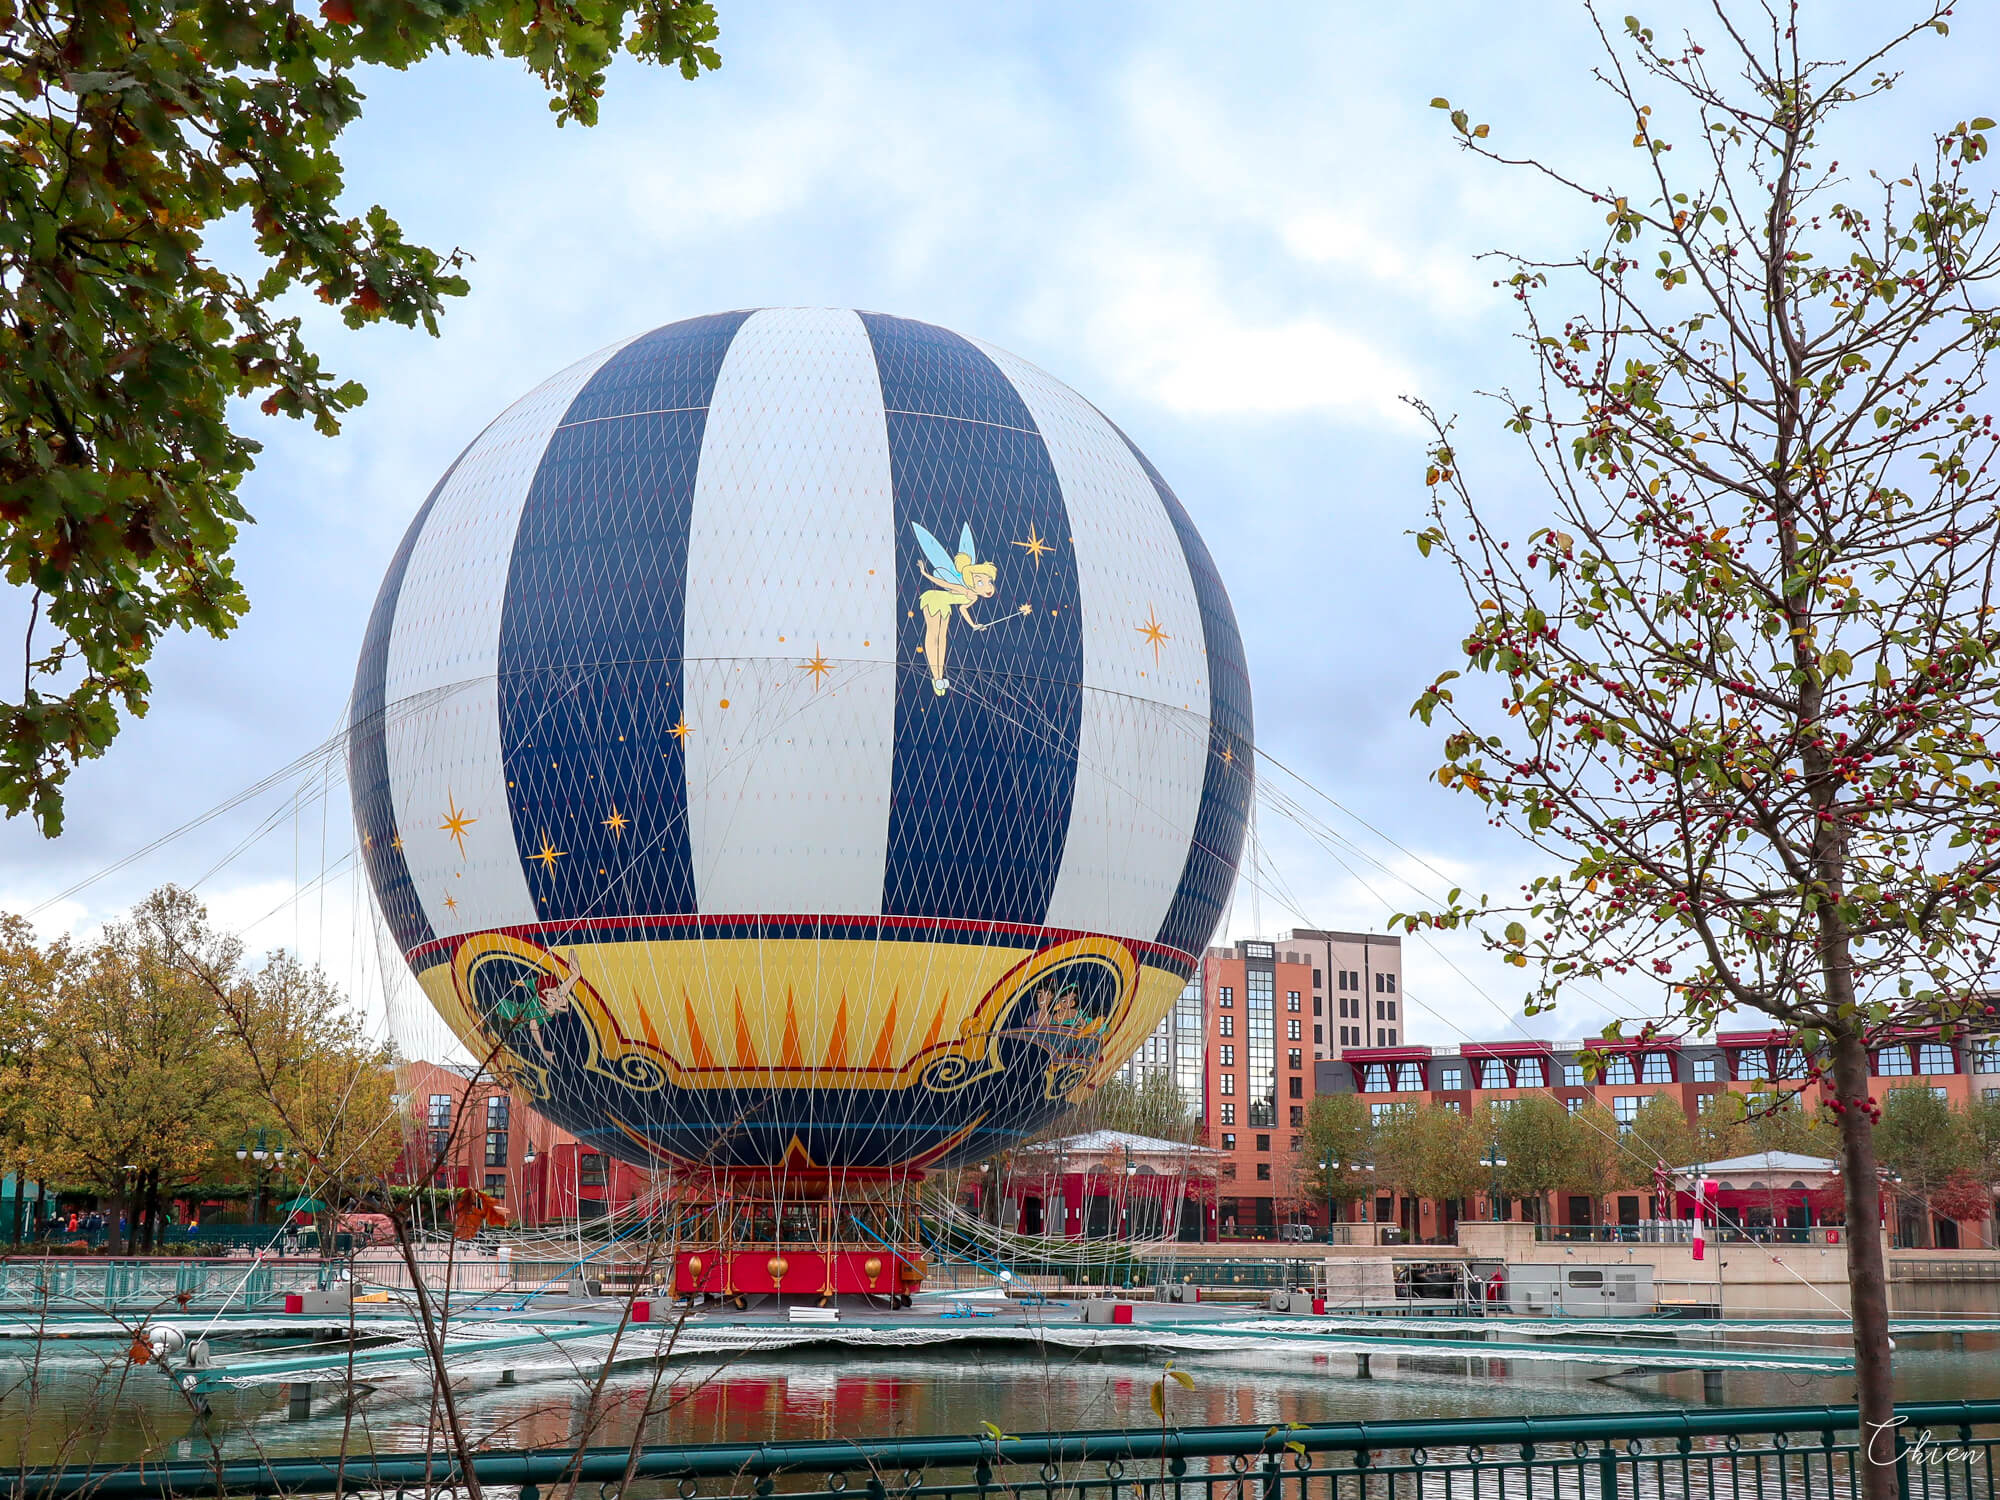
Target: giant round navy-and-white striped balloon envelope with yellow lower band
[[801, 739]]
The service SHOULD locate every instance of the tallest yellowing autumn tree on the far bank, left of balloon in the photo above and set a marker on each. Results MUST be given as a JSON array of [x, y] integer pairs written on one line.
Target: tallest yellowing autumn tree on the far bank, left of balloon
[[135, 1083]]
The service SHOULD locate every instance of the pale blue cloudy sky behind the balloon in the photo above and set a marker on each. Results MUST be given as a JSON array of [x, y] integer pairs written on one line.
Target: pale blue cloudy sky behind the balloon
[[1239, 231]]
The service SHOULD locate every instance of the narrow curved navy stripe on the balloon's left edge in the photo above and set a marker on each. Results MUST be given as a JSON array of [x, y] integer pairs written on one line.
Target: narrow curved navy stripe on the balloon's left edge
[[375, 807]]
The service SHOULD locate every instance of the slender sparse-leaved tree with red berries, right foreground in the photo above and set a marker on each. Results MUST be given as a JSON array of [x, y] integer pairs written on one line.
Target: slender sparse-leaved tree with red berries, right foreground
[[1743, 659]]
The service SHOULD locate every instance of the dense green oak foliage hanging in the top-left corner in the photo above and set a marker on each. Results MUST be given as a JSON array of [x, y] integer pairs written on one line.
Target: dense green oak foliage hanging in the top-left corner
[[127, 133]]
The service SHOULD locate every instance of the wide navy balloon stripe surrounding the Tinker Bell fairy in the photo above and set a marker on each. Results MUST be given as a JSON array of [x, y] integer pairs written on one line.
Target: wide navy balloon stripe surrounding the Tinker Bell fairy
[[983, 775]]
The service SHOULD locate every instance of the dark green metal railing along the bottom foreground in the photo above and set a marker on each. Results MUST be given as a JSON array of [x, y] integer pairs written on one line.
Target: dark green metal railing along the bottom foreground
[[1941, 1449]]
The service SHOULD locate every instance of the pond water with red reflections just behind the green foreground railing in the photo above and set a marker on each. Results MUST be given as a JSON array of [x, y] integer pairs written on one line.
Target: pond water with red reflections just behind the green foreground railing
[[91, 1407]]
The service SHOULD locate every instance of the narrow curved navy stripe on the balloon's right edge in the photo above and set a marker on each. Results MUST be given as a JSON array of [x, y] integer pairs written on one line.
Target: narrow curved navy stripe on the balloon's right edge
[[1231, 775]]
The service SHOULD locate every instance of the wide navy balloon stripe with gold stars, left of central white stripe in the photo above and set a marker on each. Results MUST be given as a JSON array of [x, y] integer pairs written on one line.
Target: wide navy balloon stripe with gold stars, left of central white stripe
[[591, 633]]
